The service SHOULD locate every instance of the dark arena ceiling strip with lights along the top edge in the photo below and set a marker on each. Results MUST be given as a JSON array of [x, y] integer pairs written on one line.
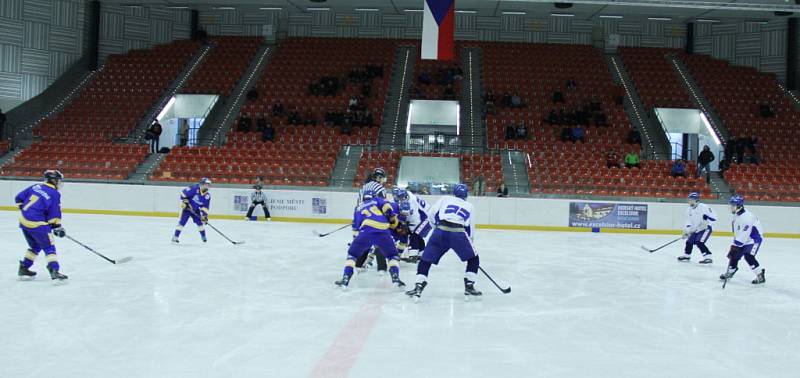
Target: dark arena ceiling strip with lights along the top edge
[[676, 10]]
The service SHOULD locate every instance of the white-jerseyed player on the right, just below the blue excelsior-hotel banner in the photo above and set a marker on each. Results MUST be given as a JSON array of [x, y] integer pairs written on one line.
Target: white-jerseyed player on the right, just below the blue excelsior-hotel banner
[[699, 218]]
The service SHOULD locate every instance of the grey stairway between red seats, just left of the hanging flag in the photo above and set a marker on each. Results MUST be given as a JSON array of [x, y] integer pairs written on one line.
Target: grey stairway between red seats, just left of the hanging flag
[[393, 126]]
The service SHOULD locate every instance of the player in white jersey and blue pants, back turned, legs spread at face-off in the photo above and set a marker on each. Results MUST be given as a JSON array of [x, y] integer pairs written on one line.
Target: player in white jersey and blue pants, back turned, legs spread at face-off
[[453, 216]]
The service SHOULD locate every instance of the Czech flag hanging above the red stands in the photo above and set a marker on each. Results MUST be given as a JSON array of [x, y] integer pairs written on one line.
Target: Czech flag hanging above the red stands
[[438, 26]]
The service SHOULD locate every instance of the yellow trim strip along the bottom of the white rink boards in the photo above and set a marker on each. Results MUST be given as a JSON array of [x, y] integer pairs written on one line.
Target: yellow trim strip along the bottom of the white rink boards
[[348, 221]]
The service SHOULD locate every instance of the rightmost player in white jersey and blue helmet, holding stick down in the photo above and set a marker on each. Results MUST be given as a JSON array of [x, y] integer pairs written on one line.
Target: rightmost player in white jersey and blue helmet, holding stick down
[[747, 239]]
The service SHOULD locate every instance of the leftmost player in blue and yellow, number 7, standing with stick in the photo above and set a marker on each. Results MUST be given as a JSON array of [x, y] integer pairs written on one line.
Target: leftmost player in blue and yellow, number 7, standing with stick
[[40, 219]]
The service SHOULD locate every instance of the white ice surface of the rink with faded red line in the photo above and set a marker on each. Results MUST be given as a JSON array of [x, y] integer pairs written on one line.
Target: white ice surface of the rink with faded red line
[[582, 305]]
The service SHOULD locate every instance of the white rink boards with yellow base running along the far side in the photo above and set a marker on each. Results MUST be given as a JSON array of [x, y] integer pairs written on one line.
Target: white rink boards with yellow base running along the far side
[[336, 207]]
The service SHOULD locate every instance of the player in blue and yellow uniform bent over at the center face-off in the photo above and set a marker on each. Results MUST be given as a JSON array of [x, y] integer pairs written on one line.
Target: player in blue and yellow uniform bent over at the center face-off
[[372, 221]]
